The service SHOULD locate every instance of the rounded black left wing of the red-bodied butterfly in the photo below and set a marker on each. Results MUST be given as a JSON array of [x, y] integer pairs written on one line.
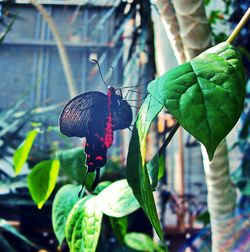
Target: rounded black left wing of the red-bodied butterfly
[[86, 112]]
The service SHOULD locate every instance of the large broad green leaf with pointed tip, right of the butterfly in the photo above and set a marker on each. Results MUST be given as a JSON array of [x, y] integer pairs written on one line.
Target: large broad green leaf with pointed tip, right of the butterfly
[[205, 95]]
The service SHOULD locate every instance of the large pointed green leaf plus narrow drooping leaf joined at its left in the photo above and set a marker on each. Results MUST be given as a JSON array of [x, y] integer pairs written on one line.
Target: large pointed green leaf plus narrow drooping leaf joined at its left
[[199, 94]]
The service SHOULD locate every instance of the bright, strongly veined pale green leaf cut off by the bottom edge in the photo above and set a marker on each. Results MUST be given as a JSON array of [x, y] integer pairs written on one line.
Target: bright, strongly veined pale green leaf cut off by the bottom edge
[[83, 225]]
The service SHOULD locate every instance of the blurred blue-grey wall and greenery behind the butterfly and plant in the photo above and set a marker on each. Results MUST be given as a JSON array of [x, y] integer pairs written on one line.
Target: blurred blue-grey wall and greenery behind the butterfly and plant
[[36, 83]]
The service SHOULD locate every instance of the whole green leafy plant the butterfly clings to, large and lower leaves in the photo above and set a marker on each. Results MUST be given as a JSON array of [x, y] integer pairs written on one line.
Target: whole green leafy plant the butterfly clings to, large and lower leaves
[[200, 94]]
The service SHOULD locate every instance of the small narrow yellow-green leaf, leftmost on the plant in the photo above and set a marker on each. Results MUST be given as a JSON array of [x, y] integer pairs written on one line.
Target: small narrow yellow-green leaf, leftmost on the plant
[[22, 152]]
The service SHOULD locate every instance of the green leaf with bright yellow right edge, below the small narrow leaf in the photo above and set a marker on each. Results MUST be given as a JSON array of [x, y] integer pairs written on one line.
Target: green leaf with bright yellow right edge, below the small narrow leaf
[[42, 180]]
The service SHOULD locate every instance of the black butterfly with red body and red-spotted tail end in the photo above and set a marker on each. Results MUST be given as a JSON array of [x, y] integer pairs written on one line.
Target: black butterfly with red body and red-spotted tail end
[[95, 116]]
